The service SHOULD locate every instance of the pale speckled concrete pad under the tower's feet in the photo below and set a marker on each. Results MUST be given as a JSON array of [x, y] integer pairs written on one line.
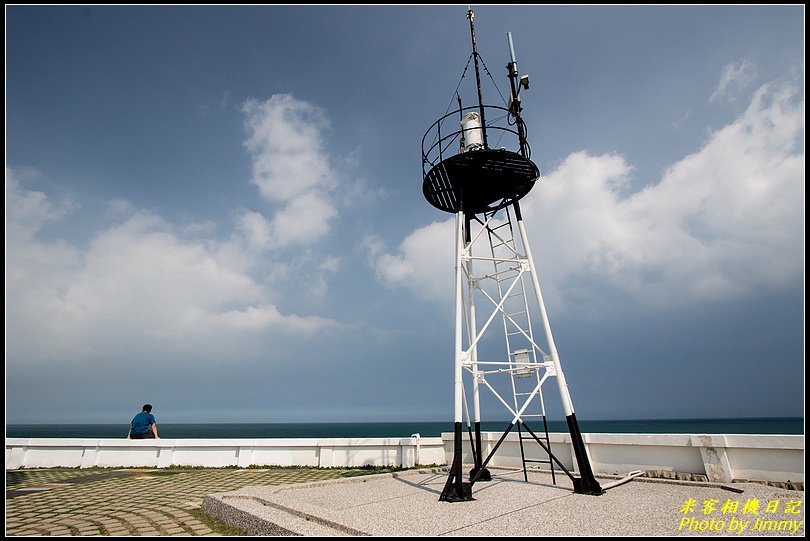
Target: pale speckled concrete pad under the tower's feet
[[408, 503]]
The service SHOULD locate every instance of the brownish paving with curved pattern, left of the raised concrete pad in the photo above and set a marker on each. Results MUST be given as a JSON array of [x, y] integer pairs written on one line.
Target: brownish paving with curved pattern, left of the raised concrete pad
[[129, 502]]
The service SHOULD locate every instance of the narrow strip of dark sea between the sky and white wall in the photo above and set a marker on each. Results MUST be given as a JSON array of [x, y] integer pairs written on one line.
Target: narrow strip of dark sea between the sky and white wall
[[760, 425]]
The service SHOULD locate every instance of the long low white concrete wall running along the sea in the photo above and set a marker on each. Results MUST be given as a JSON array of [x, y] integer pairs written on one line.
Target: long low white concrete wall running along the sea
[[720, 457]]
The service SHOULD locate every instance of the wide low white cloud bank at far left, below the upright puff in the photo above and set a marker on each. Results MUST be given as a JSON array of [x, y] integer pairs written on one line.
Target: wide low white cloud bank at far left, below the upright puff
[[138, 285]]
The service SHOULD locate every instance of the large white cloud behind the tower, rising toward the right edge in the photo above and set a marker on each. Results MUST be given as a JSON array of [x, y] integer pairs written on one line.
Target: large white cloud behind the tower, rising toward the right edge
[[721, 223]]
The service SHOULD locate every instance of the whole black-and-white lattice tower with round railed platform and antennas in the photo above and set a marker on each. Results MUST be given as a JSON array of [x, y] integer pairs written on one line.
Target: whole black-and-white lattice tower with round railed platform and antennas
[[497, 290]]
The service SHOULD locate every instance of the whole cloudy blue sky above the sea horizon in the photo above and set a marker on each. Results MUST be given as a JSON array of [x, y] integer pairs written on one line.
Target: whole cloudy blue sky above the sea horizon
[[218, 210]]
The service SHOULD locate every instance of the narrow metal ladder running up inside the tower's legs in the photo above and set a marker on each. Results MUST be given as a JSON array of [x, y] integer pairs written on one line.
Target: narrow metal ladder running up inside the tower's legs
[[522, 350]]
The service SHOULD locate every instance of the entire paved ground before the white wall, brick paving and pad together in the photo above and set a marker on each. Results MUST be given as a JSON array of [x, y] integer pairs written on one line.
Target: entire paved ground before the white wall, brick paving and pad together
[[338, 502]]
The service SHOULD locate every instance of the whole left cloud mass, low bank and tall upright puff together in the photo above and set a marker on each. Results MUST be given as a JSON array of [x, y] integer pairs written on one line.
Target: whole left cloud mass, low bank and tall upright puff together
[[143, 287]]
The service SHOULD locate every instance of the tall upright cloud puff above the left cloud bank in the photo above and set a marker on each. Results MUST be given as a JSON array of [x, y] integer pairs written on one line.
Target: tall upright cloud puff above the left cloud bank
[[291, 169]]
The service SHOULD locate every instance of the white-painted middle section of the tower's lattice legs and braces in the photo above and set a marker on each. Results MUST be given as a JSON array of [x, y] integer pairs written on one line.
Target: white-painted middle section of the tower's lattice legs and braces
[[474, 323]]
